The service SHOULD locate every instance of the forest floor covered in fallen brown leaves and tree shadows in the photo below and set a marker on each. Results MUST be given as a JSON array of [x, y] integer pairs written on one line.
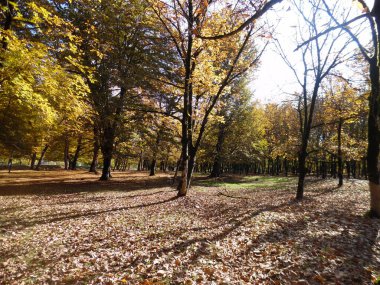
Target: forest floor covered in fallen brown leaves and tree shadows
[[60, 227]]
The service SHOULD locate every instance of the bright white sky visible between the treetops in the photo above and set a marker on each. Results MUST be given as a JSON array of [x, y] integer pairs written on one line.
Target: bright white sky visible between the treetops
[[274, 81]]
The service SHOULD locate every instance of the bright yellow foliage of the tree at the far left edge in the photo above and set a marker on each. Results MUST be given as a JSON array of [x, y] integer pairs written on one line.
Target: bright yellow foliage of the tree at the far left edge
[[35, 84]]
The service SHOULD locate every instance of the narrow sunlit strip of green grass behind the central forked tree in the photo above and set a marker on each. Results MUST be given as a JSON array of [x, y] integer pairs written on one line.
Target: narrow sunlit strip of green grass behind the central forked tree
[[249, 182]]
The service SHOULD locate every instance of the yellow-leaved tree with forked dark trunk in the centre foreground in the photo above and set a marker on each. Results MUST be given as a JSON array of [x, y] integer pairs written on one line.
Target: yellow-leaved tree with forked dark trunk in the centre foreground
[[207, 67]]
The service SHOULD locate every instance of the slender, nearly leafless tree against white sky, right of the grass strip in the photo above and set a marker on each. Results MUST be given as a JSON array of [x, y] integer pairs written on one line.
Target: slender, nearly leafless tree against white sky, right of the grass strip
[[319, 57]]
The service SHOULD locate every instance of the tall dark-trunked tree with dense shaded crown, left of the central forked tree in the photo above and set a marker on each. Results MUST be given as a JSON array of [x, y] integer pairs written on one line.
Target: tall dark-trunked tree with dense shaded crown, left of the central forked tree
[[119, 61]]
